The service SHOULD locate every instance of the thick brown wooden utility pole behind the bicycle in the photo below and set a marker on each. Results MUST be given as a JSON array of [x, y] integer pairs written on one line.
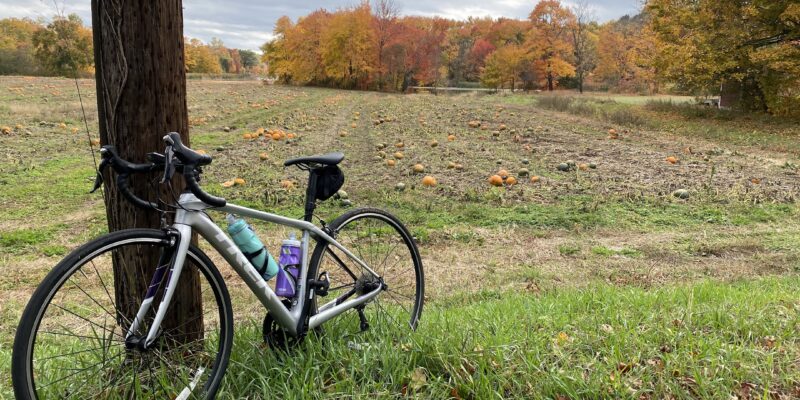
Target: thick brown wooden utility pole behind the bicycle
[[141, 96]]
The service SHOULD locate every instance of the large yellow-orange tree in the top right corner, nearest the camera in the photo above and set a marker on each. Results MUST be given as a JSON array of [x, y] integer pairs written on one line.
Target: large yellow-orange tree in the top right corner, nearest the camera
[[704, 44]]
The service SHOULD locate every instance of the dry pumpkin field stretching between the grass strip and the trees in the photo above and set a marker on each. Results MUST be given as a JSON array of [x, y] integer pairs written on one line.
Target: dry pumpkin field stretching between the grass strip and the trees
[[619, 223]]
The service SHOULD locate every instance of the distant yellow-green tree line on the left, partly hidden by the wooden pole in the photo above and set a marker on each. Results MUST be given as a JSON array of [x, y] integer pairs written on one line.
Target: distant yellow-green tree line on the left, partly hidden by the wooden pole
[[63, 47]]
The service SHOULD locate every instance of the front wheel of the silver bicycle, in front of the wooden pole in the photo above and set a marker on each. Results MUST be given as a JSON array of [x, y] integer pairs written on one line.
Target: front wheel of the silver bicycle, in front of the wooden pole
[[73, 339]]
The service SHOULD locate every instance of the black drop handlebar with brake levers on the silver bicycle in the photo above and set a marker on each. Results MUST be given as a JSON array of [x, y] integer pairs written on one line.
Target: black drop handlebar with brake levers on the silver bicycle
[[190, 163]]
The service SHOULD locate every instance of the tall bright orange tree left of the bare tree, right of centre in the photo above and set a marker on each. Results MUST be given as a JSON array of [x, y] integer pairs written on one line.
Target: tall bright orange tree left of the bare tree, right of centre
[[549, 42]]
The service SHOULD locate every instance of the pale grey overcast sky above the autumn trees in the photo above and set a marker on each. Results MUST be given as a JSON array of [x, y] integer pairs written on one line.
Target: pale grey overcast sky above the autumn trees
[[248, 24]]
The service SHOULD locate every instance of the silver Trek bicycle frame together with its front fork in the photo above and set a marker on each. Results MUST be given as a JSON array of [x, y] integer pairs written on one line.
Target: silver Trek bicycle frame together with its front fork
[[191, 217]]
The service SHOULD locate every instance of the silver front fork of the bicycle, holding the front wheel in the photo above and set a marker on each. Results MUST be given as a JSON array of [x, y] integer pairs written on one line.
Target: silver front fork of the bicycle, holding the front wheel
[[173, 259]]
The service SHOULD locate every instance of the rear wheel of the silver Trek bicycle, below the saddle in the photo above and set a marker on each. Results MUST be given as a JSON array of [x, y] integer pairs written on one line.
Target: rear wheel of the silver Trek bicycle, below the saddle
[[385, 245]]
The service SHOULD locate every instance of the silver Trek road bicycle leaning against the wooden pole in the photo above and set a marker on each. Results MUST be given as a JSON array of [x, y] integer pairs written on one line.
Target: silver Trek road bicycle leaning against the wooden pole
[[98, 327]]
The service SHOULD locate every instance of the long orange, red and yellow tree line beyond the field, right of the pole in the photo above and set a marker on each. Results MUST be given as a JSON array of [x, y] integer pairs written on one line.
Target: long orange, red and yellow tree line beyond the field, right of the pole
[[677, 46]]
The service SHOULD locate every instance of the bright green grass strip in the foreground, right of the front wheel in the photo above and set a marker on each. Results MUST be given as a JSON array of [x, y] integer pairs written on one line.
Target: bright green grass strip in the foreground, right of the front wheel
[[701, 341]]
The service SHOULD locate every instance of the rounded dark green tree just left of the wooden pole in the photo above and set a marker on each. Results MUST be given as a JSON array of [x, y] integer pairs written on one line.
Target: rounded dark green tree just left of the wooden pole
[[64, 46]]
